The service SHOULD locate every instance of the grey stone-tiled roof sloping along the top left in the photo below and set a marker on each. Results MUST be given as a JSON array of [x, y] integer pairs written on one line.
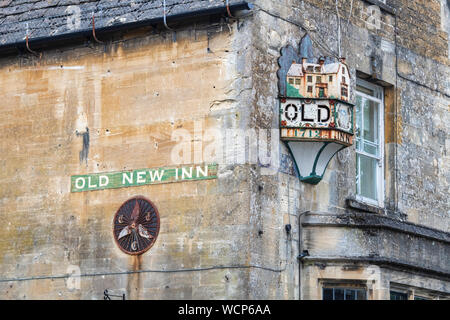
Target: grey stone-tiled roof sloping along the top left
[[52, 18]]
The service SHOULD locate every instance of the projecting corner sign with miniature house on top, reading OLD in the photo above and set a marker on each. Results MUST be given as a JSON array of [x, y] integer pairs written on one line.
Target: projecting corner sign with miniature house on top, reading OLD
[[316, 119]]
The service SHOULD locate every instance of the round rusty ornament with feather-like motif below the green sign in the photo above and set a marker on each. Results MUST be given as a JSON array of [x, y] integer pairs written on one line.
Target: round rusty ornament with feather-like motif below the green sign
[[136, 225]]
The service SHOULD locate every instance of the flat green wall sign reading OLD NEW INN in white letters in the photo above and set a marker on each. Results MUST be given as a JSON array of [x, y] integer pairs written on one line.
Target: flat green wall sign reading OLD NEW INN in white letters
[[140, 177]]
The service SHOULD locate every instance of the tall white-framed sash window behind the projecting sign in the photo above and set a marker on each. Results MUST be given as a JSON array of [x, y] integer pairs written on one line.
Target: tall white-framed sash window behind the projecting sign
[[369, 143]]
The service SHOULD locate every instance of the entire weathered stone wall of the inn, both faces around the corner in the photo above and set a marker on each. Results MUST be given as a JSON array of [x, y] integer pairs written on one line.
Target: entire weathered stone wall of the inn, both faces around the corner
[[229, 234]]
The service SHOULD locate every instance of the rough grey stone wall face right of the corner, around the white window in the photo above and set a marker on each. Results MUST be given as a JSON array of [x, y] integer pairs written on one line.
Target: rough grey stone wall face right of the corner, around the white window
[[416, 136]]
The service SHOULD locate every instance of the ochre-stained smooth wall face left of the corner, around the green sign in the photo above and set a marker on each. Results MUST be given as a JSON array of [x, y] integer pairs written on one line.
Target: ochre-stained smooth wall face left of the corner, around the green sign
[[130, 96]]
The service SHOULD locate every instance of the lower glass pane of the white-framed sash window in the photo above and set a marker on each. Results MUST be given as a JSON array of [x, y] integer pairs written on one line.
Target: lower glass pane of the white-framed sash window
[[367, 176]]
